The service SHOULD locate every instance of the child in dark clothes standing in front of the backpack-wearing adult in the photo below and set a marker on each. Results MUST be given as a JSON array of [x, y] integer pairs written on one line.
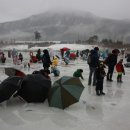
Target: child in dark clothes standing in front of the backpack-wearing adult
[[100, 74]]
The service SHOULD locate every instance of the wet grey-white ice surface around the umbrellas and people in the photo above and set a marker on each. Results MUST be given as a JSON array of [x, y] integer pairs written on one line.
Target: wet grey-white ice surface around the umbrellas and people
[[109, 112]]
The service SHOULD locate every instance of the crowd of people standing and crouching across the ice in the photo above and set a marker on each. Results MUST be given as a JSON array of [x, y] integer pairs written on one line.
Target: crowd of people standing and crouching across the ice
[[96, 64]]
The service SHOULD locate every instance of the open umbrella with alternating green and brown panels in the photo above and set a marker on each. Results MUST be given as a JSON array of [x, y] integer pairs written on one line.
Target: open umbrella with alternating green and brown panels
[[65, 91]]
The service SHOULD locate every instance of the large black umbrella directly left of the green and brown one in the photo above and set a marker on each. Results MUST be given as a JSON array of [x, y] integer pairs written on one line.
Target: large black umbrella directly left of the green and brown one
[[34, 88]]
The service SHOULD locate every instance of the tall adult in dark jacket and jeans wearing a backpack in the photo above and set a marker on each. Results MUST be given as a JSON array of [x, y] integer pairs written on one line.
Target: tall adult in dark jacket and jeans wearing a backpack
[[93, 62]]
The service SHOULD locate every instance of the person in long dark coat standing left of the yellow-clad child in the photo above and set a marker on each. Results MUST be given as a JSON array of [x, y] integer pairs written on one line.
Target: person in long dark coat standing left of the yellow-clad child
[[46, 60]]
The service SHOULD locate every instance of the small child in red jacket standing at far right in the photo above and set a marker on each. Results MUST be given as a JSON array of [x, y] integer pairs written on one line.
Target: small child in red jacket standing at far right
[[120, 70]]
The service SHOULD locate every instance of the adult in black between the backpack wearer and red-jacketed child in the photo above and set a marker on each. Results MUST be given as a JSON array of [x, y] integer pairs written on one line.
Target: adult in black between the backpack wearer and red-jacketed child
[[111, 61]]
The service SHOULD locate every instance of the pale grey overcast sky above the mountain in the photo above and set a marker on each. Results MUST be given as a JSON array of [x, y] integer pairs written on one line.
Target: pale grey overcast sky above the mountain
[[17, 9]]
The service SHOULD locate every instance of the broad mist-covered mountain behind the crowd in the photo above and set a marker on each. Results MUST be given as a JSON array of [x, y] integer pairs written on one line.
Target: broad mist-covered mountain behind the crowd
[[65, 25]]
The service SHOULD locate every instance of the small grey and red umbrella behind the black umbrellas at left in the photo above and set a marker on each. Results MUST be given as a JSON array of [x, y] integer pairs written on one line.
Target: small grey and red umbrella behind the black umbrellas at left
[[14, 72]]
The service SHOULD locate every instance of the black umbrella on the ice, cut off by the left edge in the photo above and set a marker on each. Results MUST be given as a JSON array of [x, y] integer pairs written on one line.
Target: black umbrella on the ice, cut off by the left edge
[[9, 86]]
